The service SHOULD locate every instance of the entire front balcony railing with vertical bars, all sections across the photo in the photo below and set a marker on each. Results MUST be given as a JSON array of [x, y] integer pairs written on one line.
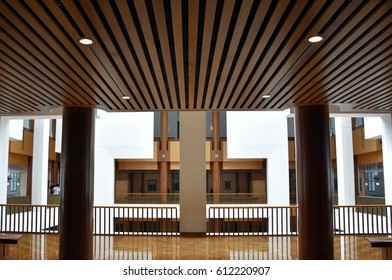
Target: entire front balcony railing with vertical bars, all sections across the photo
[[221, 220]]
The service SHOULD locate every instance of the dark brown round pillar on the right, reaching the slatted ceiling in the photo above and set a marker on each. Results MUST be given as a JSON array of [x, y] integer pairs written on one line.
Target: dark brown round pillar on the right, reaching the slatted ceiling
[[314, 183]]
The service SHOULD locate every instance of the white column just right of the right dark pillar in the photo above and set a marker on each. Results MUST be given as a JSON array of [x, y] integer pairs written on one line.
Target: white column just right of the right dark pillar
[[345, 160]]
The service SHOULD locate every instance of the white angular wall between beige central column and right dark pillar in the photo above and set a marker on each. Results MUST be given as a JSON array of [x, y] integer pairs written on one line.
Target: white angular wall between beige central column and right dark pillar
[[262, 135]]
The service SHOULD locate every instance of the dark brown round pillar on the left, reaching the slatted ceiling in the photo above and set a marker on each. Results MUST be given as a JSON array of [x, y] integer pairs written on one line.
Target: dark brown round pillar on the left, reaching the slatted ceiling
[[77, 184]]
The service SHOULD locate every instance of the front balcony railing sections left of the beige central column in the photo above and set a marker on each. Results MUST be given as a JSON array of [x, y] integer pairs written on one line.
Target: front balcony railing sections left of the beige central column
[[108, 220]]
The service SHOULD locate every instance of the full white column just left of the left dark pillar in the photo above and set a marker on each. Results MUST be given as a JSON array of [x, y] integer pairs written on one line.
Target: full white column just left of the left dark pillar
[[40, 162]]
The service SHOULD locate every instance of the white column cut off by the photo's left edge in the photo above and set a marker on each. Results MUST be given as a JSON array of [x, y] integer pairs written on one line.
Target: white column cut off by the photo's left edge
[[4, 151]]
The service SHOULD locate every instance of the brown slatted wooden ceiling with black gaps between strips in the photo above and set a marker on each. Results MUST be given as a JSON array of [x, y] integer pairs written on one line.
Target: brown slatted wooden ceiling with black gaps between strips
[[187, 54]]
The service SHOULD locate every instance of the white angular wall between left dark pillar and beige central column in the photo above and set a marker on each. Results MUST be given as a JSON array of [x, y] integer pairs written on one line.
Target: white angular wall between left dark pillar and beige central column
[[119, 136]]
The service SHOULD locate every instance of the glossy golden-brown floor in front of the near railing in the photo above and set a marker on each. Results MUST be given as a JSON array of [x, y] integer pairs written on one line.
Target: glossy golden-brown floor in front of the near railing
[[45, 247]]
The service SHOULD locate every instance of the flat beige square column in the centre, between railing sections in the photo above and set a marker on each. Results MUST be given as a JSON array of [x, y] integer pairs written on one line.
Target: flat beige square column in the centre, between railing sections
[[193, 172]]
